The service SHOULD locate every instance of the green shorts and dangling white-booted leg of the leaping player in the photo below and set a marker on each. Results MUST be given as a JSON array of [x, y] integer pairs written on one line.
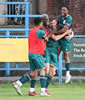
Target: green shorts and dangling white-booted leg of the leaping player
[[66, 45]]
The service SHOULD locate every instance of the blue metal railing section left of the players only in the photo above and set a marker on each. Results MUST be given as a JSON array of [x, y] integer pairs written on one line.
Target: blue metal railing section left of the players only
[[7, 32]]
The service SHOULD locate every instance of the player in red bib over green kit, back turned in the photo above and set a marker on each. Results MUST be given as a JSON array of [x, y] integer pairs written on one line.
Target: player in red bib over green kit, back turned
[[37, 46]]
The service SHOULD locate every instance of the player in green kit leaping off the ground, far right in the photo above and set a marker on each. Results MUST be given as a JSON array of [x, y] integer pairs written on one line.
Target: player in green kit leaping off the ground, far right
[[65, 23]]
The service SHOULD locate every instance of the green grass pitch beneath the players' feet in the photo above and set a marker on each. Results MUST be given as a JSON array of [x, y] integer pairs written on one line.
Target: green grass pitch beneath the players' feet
[[73, 91]]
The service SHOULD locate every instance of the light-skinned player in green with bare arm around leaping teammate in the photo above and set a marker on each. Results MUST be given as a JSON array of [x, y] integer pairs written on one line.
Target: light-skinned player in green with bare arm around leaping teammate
[[51, 50]]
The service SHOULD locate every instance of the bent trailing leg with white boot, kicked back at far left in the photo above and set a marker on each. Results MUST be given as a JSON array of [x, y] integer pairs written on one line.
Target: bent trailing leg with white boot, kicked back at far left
[[28, 76]]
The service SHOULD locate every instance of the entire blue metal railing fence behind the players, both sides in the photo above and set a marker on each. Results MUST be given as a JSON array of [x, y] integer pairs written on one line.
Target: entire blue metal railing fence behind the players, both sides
[[26, 30]]
